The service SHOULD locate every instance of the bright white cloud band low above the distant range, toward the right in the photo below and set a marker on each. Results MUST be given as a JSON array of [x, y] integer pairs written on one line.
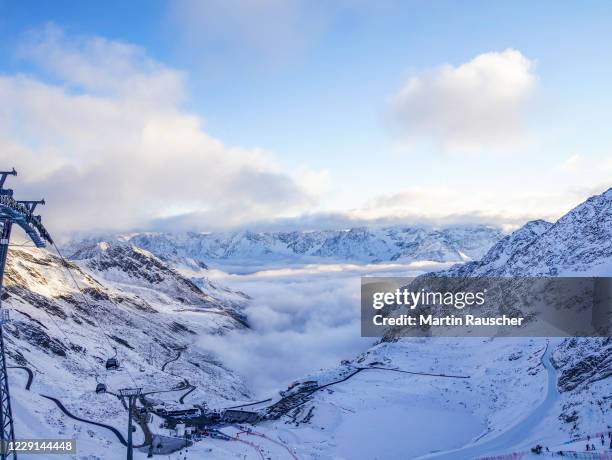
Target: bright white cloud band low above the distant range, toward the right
[[437, 206]]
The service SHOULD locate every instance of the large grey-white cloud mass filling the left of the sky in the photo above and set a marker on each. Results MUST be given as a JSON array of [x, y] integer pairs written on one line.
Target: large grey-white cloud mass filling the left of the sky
[[102, 136]]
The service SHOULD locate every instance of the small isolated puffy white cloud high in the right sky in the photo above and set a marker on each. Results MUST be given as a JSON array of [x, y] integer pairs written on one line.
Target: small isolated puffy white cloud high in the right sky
[[474, 105]]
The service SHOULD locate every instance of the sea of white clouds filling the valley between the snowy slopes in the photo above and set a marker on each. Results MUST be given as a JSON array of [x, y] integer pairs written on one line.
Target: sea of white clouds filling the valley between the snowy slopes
[[303, 319]]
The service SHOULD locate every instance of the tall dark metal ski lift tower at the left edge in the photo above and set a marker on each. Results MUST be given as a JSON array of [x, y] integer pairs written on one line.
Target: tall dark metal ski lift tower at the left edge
[[21, 213]]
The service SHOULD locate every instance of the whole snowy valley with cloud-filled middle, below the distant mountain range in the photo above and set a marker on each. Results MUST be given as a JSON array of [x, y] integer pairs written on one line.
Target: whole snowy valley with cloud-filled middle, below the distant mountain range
[[282, 346]]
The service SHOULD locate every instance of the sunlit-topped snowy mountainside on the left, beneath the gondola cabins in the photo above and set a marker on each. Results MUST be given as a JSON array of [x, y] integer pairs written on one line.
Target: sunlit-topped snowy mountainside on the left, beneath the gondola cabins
[[133, 307]]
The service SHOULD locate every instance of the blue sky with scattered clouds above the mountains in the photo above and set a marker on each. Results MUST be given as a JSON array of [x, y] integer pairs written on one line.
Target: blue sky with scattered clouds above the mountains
[[506, 118]]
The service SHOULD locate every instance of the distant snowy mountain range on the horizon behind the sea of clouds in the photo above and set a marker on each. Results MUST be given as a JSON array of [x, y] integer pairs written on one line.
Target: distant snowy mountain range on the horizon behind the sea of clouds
[[359, 245]]
